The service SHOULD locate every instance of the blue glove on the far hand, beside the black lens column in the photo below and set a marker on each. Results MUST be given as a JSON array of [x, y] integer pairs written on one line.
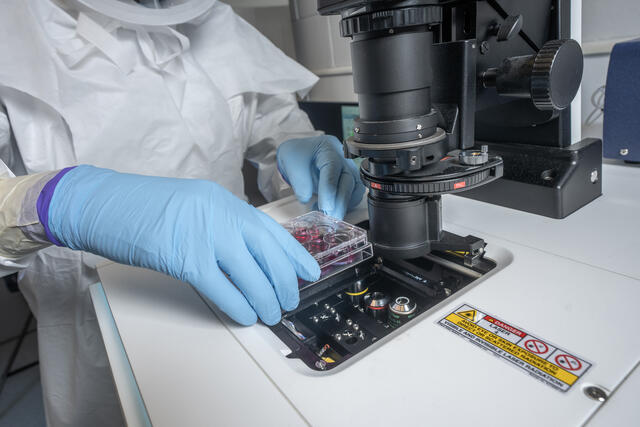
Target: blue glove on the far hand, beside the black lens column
[[317, 165]]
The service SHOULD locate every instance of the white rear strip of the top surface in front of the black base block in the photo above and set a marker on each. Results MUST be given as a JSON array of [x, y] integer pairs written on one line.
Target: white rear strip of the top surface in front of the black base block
[[605, 233]]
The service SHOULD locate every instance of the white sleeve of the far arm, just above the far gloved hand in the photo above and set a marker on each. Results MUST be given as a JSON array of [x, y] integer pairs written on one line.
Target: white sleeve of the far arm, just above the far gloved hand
[[277, 118]]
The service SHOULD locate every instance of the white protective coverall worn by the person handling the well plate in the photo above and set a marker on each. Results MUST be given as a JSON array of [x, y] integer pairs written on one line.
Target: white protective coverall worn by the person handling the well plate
[[193, 101]]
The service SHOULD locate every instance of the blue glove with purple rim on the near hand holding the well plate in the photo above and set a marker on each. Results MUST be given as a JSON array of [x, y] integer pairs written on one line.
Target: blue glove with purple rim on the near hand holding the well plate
[[193, 230]]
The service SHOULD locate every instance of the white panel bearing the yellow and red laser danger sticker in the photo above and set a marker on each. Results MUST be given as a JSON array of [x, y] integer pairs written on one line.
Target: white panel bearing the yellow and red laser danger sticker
[[427, 373]]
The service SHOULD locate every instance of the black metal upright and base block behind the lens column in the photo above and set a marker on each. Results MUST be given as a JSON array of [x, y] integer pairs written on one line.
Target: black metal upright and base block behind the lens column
[[544, 173]]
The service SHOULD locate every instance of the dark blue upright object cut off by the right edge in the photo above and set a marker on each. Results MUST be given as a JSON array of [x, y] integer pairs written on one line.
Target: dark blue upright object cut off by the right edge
[[621, 133]]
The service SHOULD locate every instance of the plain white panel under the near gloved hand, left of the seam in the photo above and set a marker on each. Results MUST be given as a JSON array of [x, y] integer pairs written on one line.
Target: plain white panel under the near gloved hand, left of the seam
[[189, 369]]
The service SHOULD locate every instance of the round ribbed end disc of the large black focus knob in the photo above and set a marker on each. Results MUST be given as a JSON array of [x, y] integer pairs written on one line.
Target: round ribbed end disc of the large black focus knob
[[556, 74]]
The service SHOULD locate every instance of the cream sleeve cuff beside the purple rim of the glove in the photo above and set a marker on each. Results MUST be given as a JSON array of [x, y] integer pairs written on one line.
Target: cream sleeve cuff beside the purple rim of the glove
[[21, 233]]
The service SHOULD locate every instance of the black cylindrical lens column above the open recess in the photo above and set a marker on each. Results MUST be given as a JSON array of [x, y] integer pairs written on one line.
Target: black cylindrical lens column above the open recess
[[416, 101]]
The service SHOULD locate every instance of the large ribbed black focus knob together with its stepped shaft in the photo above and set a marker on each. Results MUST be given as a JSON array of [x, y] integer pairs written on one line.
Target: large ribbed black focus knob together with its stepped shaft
[[550, 78]]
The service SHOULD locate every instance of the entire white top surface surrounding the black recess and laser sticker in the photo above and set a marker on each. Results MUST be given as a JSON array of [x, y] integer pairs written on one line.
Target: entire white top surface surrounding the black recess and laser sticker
[[575, 282]]
